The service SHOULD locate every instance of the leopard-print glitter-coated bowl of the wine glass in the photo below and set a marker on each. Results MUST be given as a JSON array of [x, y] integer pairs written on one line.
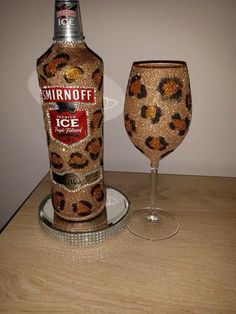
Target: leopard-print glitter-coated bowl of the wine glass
[[158, 107]]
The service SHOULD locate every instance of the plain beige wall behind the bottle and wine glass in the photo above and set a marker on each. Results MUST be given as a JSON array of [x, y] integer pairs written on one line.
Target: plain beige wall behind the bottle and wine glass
[[202, 32]]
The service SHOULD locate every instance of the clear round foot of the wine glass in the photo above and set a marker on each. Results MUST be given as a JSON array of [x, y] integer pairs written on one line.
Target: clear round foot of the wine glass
[[148, 226]]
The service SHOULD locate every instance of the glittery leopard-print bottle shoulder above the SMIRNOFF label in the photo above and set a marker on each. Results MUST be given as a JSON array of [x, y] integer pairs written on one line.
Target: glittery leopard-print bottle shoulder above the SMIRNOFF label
[[70, 64]]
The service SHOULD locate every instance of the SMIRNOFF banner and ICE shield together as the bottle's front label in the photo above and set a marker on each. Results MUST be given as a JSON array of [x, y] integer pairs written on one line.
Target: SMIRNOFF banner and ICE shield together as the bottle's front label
[[66, 121]]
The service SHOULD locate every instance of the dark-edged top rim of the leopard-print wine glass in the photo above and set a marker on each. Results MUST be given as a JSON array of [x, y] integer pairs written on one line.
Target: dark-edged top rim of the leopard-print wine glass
[[161, 64]]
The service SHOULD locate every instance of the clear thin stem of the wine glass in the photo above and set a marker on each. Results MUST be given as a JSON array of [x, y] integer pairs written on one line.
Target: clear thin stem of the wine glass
[[153, 216]]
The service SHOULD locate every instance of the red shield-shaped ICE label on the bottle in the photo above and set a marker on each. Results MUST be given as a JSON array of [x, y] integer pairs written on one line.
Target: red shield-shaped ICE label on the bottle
[[68, 128]]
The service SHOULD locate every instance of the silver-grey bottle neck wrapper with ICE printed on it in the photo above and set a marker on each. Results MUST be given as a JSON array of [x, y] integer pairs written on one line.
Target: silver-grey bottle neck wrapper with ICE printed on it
[[68, 23]]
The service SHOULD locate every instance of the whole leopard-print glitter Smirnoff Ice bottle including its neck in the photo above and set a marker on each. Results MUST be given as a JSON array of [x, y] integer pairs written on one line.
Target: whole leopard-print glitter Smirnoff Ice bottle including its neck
[[71, 82]]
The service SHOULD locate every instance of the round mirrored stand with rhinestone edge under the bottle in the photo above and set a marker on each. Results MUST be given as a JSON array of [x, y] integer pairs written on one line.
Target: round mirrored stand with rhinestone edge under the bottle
[[110, 222]]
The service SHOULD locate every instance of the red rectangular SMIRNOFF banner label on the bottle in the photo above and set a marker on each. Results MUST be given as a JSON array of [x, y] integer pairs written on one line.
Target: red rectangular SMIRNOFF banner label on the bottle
[[67, 94]]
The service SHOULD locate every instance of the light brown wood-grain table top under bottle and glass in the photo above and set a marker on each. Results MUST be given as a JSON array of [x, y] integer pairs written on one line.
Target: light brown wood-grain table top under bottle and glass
[[193, 272]]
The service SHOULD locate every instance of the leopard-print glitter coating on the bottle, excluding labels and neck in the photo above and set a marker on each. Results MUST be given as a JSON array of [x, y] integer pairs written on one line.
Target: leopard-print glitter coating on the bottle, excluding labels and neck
[[70, 65]]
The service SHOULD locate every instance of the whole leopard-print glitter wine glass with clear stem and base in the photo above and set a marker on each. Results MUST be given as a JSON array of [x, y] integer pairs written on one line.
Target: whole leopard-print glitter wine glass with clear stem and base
[[157, 115]]
